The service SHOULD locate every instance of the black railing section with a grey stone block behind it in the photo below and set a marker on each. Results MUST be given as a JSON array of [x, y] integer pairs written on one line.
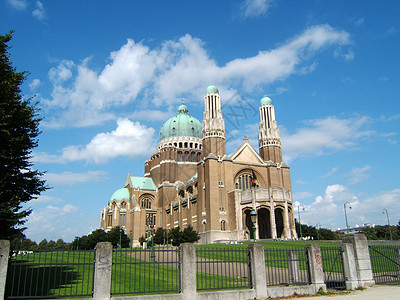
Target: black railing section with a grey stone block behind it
[[286, 267]]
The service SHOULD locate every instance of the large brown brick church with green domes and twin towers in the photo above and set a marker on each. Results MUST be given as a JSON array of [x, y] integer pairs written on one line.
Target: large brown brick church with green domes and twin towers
[[191, 180]]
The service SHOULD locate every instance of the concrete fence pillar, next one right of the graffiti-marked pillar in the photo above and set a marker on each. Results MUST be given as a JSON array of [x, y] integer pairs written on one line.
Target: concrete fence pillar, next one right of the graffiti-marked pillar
[[188, 271]]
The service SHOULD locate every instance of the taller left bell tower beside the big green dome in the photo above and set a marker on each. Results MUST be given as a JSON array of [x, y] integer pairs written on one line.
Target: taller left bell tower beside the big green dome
[[213, 124]]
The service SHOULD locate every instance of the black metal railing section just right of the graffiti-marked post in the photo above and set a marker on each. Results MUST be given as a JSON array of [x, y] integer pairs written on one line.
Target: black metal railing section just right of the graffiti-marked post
[[145, 271]]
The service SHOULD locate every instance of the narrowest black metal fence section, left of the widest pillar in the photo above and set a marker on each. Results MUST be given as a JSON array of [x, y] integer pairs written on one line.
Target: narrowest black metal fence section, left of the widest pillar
[[332, 262]]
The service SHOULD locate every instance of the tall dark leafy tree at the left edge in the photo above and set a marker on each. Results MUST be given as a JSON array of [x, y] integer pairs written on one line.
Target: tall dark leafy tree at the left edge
[[19, 129]]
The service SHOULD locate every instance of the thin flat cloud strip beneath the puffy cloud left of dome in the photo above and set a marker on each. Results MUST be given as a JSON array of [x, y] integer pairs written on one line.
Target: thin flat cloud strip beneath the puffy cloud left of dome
[[69, 178]]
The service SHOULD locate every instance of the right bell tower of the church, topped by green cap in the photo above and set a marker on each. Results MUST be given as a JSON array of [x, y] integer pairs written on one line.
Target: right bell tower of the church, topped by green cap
[[268, 134]]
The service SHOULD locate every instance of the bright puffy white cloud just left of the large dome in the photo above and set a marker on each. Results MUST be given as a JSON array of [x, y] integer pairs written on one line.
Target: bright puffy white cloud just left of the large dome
[[130, 139]]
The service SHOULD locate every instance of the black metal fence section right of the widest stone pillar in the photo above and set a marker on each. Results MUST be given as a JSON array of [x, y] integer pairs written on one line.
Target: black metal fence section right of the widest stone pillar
[[385, 262]]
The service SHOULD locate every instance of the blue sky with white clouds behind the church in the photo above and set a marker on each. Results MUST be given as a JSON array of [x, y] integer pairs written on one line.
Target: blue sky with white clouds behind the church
[[109, 73]]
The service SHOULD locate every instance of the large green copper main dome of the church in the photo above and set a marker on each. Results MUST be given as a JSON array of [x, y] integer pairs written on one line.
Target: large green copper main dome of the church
[[182, 124]]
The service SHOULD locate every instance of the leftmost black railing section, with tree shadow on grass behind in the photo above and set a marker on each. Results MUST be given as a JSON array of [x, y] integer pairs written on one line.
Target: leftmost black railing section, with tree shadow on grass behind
[[50, 274]]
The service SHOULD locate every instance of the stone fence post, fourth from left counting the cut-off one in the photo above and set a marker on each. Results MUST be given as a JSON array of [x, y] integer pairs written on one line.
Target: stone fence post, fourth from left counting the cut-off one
[[257, 270]]
